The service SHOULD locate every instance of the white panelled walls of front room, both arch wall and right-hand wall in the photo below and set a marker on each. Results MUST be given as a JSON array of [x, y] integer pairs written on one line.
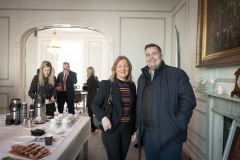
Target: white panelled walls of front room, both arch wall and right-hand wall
[[131, 25]]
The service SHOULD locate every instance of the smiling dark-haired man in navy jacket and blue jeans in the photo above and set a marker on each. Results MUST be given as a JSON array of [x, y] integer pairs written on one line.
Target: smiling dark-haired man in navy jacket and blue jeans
[[165, 102]]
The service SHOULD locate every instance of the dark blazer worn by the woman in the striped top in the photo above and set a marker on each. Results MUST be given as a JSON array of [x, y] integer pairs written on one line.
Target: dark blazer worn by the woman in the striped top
[[102, 96]]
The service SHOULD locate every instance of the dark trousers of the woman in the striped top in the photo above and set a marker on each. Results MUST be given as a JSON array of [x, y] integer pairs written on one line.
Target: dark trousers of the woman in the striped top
[[117, 142]]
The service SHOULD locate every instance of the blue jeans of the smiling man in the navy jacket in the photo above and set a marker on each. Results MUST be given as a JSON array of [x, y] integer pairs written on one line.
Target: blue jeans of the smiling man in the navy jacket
[[173, 152]]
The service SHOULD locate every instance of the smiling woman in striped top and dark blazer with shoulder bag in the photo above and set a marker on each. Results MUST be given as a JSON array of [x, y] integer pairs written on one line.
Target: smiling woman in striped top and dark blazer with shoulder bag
[[119, 131]]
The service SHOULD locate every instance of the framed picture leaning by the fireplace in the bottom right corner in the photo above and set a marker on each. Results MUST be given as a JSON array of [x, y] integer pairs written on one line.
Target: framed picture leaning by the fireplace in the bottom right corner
[[233, 142]]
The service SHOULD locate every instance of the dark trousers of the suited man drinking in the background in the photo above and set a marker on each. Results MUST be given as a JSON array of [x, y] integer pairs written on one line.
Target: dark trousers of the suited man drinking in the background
[[61, 99]]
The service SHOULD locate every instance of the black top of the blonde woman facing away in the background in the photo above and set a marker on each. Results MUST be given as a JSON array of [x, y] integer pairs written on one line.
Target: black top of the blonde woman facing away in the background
[[92, 86]]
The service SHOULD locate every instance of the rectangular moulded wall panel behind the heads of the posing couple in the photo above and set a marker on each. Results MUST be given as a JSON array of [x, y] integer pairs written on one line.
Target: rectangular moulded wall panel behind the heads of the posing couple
[[135, 33]]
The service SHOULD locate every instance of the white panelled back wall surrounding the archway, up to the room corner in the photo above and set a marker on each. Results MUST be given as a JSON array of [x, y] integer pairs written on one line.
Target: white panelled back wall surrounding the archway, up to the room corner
[[17, 18]]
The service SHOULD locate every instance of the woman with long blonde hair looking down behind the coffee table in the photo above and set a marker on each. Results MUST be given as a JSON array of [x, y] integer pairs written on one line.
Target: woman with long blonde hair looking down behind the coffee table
[[45, 83]]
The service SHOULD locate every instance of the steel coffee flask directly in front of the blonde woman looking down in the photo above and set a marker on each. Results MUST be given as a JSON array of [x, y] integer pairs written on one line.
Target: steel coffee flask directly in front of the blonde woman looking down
[[40, 109]]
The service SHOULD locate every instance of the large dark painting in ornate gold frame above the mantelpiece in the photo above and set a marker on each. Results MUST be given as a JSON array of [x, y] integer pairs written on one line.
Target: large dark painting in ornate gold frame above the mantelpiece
[[218, 26]]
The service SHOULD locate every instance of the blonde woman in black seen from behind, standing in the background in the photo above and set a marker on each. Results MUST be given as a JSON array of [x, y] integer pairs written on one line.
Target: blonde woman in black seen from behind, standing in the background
[[92, 86]]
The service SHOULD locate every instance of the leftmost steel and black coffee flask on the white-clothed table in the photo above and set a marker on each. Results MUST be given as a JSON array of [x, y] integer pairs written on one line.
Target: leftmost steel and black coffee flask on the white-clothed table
[[14, 109]]
